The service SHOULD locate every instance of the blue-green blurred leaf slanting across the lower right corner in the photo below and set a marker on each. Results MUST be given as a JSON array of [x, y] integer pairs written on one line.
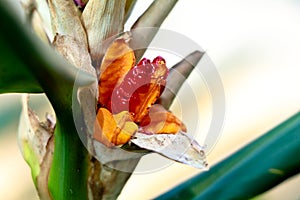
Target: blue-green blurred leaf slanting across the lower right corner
[[256, 168]]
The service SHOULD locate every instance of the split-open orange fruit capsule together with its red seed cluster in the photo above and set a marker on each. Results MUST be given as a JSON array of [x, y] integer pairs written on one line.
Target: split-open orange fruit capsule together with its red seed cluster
[[127, 96]]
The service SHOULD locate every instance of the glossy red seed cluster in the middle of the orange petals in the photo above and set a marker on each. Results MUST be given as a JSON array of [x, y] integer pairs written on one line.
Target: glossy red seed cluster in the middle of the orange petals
[[143, 80]]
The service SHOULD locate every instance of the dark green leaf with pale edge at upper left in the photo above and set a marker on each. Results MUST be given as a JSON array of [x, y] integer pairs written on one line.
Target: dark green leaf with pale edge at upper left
[[28, 64]]
